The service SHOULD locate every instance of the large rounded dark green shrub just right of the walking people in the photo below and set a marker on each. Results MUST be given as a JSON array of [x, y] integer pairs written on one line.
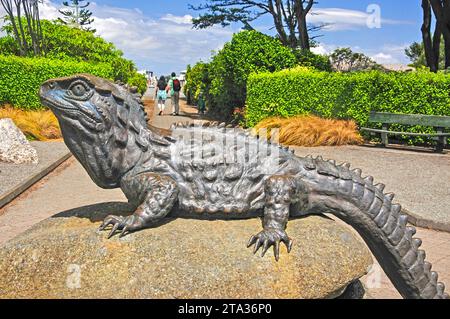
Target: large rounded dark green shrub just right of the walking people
[[247, 52]]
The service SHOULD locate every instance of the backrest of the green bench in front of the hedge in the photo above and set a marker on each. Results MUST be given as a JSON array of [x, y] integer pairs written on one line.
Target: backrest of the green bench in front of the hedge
[[410, 119]]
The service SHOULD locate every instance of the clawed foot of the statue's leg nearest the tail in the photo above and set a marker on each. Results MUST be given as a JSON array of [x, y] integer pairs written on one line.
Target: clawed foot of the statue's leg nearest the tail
[[270, 237]]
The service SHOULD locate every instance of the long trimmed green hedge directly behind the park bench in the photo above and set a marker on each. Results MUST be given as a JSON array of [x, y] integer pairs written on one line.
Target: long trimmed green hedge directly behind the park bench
[[346, 95]]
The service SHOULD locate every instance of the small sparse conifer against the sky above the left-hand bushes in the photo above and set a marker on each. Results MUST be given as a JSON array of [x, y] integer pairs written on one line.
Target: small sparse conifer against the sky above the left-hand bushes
[[77, 15]]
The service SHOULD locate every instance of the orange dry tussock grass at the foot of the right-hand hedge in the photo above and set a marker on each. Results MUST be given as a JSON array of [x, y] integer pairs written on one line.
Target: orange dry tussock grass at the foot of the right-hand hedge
[[312, 131]]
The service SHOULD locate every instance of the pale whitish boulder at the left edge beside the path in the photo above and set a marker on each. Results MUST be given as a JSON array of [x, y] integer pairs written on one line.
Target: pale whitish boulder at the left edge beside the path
[[14, 146]]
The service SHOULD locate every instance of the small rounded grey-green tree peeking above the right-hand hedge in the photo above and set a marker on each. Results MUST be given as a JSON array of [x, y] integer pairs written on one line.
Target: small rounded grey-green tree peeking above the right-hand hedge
[[345, 60]]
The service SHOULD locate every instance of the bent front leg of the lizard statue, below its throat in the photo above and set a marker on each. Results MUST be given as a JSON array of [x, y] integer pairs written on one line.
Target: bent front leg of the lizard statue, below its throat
[[155, 196]]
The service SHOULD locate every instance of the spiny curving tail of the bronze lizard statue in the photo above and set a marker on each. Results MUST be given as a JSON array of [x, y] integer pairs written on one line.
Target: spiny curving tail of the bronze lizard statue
[[357, 201]]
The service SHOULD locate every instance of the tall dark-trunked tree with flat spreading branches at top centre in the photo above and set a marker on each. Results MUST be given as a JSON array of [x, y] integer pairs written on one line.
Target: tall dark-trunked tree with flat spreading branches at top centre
[[289, 17]]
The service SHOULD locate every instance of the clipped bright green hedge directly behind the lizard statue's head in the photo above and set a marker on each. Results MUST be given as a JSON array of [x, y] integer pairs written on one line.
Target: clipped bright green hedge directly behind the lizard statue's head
[[20, 78]]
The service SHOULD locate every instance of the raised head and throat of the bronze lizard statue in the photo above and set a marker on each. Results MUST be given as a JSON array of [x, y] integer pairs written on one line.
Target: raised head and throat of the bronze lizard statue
[[101, 123]]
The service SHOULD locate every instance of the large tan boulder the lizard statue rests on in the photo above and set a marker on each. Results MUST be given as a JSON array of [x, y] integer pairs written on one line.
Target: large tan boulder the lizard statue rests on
[[67, 257]]
